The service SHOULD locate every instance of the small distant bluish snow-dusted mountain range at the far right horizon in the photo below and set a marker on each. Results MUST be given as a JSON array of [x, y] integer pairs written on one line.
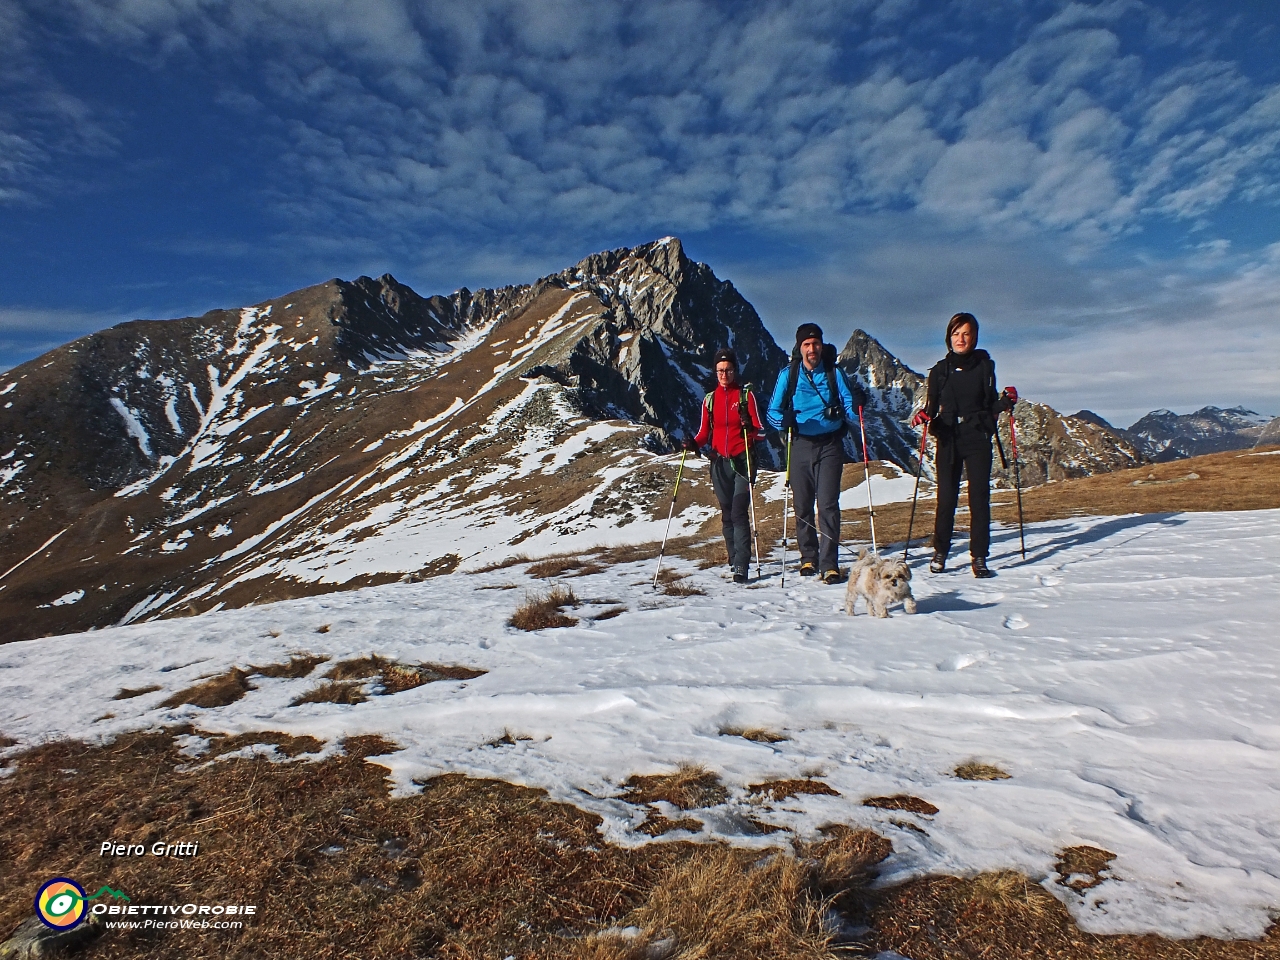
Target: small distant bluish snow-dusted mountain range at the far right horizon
[[1164, 436]]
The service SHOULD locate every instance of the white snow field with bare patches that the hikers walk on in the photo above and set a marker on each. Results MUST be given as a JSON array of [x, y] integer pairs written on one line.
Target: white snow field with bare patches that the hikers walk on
[[1124, 676]]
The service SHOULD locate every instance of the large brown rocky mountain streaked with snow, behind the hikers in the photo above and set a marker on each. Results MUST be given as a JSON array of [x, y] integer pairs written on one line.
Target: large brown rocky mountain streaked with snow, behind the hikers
[[355, 433]]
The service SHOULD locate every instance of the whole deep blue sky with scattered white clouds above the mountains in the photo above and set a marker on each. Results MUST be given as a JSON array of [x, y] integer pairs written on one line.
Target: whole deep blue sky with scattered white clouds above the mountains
[[1099, 182]]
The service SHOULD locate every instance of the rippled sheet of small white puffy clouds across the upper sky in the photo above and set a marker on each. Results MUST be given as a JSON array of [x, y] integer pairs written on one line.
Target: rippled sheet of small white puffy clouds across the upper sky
[[685, 116]]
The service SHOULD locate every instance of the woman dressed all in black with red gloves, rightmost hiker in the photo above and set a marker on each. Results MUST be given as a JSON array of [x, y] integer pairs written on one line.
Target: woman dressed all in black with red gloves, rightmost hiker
[[962, 408]]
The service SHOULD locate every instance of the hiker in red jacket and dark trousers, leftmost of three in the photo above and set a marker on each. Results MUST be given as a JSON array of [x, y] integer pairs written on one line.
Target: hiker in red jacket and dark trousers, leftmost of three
[[730, 427]]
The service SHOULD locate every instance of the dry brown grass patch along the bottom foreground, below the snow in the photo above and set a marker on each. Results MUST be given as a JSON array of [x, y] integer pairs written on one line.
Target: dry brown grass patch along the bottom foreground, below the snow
[[474, 870]]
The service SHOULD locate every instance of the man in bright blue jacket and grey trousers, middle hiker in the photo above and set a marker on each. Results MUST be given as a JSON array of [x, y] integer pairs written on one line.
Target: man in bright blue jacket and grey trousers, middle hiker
[[812, 403]]
